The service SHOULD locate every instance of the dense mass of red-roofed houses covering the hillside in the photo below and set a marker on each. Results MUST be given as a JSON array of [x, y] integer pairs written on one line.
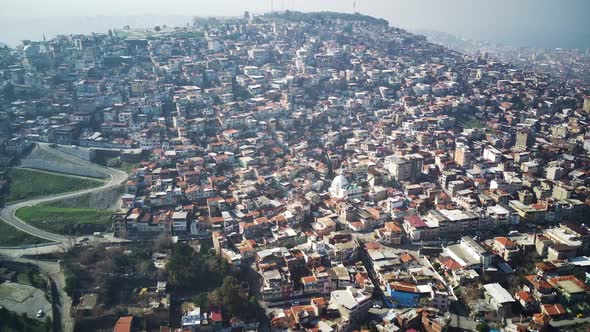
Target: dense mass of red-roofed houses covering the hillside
[[345, 160]]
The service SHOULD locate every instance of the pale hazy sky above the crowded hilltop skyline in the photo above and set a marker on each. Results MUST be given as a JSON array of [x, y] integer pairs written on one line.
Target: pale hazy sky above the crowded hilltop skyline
[[544, 23]]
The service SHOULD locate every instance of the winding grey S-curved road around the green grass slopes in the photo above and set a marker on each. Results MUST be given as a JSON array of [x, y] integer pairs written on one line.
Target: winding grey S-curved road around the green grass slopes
[[7, 214]]
